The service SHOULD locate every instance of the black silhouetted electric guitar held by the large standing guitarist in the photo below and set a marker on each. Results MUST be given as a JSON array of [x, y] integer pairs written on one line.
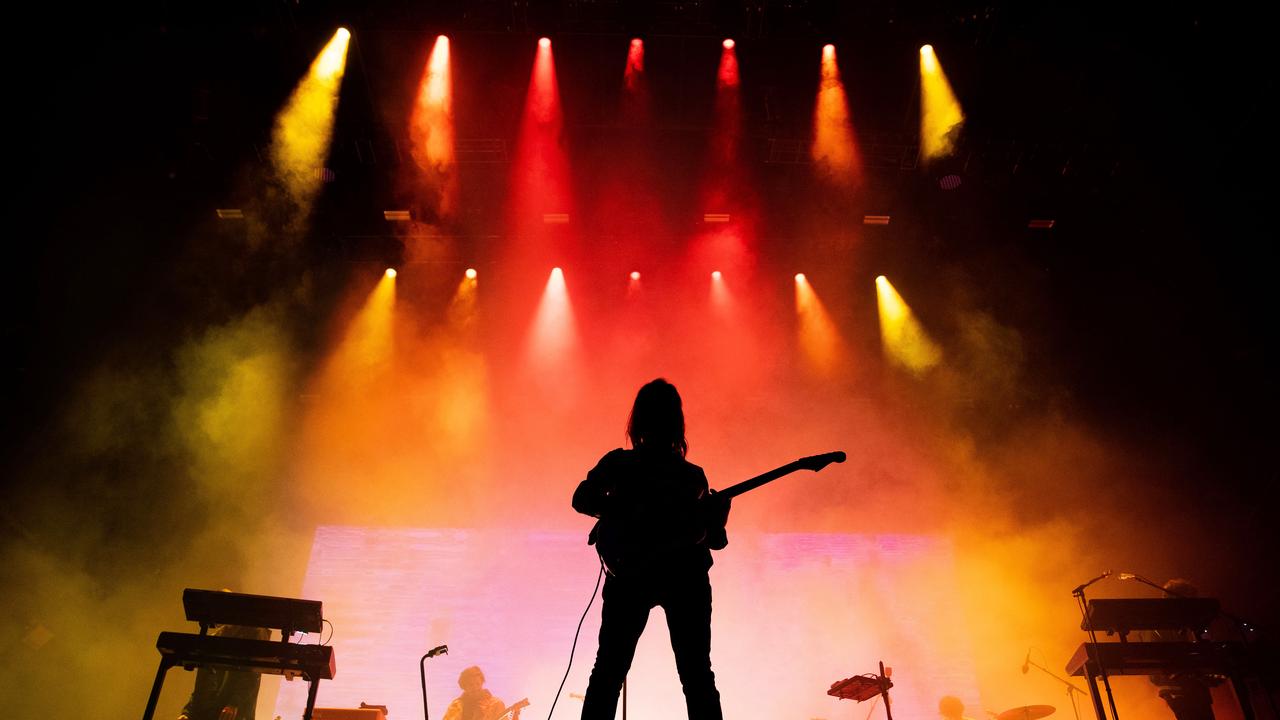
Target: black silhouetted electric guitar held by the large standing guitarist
[[639, 539]]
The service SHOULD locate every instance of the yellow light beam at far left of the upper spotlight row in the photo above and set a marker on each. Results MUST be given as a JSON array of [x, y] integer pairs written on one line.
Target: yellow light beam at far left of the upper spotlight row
[[300, 142]]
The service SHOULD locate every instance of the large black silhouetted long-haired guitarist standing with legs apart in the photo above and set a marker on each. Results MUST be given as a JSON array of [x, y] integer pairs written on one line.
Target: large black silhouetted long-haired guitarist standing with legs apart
[[660, 532]]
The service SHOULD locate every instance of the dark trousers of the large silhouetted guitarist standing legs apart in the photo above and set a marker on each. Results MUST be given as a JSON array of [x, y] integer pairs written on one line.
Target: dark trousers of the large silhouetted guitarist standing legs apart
[[685, 596]]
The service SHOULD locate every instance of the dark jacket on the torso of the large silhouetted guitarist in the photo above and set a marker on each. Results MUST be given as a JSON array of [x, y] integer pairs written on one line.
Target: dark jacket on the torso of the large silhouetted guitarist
[[651, 511]]
